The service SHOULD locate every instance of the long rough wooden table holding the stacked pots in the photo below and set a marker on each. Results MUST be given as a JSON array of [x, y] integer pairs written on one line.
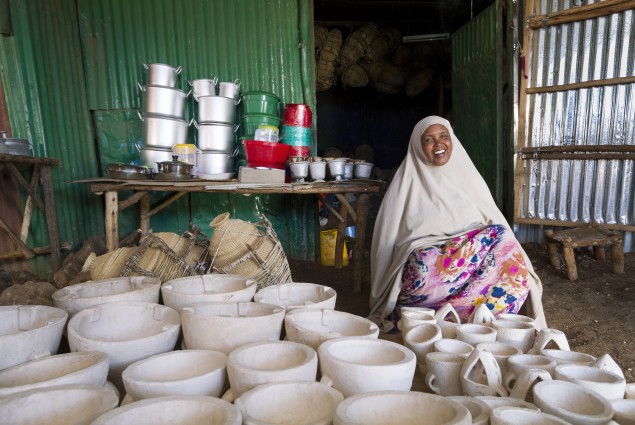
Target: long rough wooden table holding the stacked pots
[[141, 194]]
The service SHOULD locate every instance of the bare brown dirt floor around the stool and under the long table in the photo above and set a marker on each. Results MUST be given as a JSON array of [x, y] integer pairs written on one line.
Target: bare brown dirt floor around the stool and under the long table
[[596, 312]]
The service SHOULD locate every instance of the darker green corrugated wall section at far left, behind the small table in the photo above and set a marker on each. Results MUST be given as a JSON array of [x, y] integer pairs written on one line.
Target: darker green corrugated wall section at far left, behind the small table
[[42, 74]]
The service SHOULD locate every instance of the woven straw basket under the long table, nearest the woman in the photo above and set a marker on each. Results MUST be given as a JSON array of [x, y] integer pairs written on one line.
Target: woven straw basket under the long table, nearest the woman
[[248, 249]]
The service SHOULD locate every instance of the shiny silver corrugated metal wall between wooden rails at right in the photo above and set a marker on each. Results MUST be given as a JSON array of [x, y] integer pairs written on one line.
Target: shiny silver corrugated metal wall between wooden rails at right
[[601, 191]]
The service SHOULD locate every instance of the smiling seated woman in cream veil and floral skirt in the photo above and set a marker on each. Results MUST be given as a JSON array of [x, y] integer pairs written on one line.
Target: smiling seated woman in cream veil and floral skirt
[[440, 238]]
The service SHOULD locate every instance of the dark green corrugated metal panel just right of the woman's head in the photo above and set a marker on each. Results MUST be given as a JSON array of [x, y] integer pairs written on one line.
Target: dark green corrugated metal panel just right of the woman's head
[[477, 93]]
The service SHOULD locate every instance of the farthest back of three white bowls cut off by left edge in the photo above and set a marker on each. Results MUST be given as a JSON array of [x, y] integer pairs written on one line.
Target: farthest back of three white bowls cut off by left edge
[[29, 332]]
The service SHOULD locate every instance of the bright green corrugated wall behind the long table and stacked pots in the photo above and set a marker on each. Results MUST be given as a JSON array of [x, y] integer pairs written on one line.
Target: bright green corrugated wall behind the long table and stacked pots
[[262, 43]]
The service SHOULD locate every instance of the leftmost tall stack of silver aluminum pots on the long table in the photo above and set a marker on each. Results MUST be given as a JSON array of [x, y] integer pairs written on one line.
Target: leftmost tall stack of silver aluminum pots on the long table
[[162, 113]]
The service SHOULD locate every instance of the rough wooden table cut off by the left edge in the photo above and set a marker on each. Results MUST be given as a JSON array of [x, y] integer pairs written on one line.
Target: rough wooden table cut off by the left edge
[[41, 175]]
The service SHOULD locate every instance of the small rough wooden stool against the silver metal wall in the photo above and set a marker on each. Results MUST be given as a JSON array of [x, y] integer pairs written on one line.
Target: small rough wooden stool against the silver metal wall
[[593, 236]]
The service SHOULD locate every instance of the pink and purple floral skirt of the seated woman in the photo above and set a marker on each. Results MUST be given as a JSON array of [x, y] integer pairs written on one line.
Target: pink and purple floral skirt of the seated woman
[[484, 265]]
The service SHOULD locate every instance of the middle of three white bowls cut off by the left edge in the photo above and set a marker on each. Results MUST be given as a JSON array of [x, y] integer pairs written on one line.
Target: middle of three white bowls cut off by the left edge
[[90, 367]]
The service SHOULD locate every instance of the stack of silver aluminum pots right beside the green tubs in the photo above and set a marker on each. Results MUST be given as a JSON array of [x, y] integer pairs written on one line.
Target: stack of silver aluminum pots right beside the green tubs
[[216, 126]]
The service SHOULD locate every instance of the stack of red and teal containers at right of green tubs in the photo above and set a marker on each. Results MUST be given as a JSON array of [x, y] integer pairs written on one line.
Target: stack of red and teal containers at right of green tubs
[[296, 129]]
